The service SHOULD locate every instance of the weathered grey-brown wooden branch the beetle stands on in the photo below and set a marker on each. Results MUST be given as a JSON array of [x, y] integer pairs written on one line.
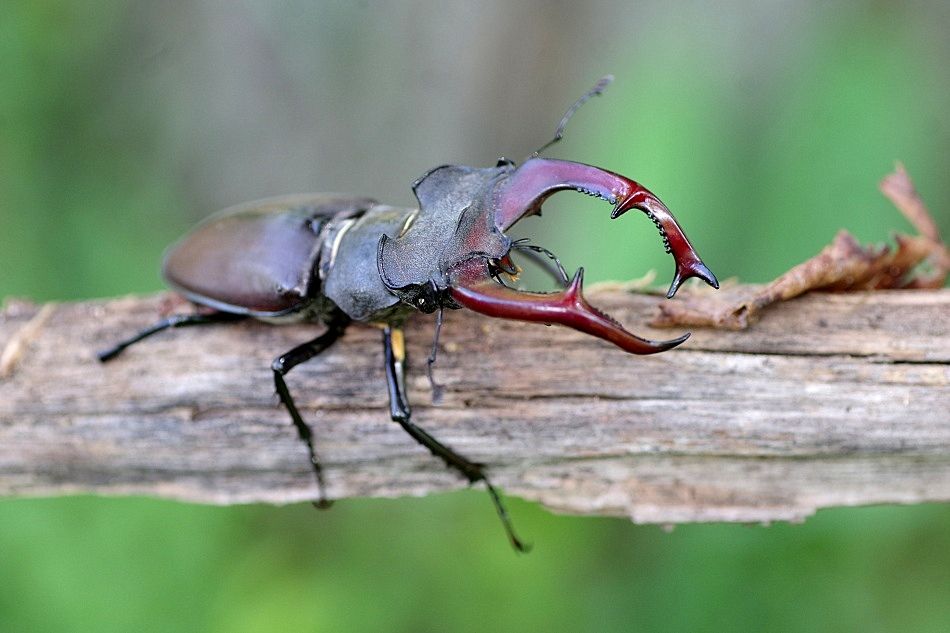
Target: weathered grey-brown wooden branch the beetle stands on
[[833, 399]]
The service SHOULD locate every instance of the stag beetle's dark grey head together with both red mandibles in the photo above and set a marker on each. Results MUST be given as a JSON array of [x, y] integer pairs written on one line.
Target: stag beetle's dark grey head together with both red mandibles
[[454, 250]]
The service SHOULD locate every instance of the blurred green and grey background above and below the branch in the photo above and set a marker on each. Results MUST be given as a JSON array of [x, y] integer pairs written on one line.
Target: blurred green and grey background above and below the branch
[[764, 126]]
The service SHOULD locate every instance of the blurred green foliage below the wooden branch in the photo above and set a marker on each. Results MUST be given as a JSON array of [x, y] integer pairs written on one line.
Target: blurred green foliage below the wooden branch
[[442, 564]]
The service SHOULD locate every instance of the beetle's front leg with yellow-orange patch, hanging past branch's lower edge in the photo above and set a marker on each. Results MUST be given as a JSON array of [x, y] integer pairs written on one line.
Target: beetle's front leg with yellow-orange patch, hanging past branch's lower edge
[[395, 353]]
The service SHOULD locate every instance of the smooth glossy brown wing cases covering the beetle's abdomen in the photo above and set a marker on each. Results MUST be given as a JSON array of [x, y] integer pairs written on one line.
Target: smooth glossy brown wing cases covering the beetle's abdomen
[[257, 258]]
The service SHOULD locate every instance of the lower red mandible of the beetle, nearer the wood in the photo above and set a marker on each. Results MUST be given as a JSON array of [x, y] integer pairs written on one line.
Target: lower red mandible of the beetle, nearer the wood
[[471, 286]]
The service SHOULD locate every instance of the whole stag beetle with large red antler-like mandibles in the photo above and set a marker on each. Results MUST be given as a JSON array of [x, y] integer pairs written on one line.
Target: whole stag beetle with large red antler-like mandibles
[[338, 259]]
